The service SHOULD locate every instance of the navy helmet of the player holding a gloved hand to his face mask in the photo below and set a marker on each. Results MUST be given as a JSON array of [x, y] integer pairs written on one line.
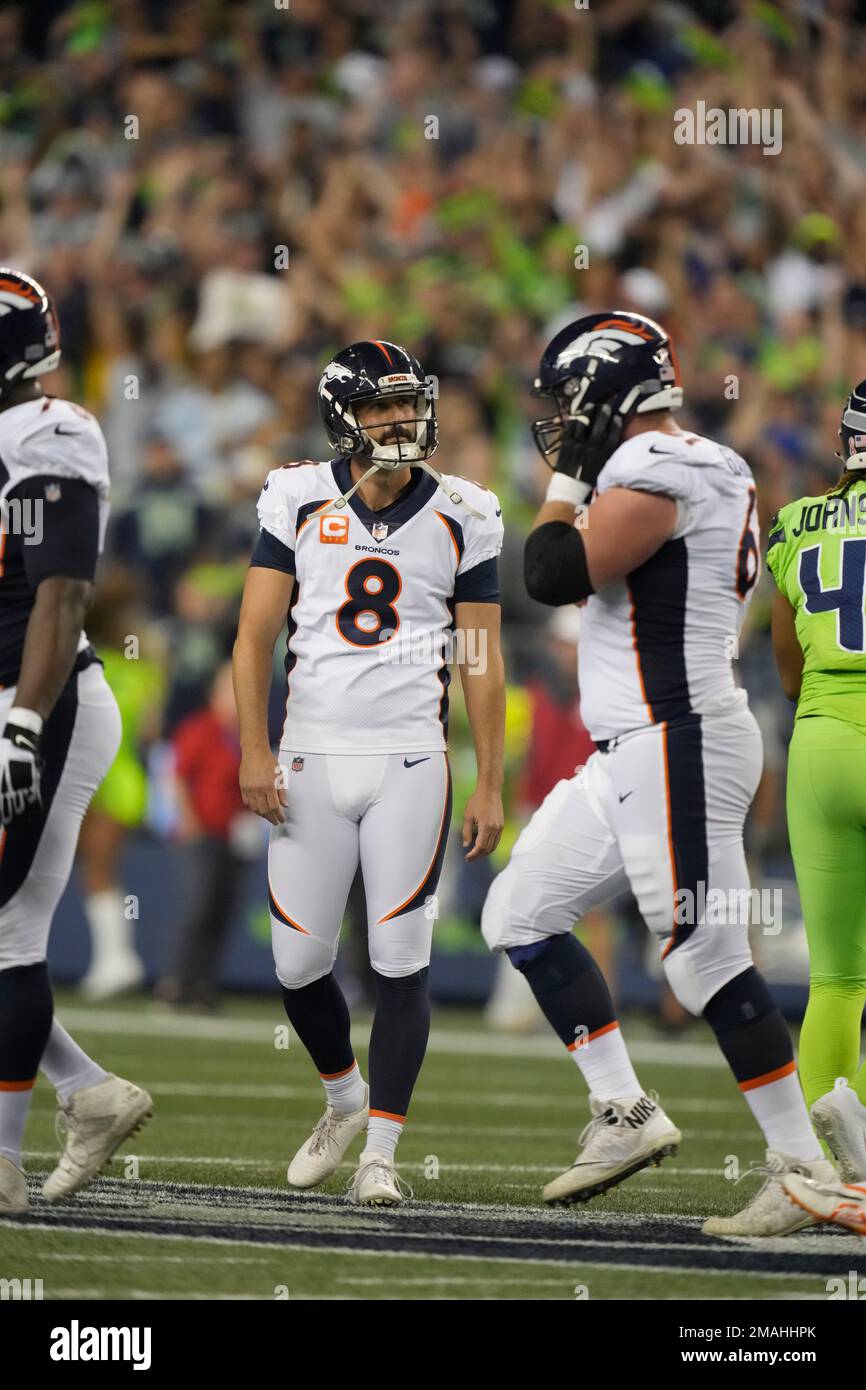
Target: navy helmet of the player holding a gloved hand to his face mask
[[615, 358]]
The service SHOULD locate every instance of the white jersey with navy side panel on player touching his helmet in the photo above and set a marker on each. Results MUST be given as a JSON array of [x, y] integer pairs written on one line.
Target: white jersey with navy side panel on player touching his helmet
[[660, 644]]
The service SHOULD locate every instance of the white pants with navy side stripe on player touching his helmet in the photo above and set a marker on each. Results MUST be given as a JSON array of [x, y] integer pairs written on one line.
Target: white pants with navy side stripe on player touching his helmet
[[660, 812]]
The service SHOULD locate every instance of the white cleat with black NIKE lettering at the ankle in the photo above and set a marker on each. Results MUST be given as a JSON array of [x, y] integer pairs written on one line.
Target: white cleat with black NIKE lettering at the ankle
[[622, 1138]]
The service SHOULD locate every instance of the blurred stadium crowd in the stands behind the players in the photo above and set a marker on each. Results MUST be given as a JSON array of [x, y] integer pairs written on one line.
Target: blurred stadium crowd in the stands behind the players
[[223, 195]]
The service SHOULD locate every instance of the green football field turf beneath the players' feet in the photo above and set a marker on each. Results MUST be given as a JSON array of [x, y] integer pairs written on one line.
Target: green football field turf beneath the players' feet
[[197, 1206]]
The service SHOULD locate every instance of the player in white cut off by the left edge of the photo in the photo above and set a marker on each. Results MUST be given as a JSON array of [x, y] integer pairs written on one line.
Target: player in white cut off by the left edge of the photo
[[60, 735]]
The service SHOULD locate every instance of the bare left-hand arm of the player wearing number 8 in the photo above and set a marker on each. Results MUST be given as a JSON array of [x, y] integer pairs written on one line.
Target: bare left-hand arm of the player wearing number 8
[[268, 596]]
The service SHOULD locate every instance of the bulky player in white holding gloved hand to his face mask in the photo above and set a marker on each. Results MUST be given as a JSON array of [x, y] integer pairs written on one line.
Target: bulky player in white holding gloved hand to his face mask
[[665, 559]]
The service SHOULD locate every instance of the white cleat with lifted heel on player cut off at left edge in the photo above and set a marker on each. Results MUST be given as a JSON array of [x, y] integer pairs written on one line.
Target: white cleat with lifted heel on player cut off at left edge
[[97, 1120]]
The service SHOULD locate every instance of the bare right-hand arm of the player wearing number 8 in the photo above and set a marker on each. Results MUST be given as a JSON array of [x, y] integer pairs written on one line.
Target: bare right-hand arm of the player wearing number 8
[[484, 692]]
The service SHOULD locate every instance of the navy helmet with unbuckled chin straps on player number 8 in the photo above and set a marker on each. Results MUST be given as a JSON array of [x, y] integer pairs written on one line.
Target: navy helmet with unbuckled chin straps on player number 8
[[370, 372]]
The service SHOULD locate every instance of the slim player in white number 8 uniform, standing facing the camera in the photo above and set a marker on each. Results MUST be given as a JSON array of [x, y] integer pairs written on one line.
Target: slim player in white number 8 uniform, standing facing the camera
[[376, 559]]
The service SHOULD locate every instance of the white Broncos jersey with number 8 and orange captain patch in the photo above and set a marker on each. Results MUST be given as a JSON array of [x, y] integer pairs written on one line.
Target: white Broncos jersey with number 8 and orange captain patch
[[373, 607]]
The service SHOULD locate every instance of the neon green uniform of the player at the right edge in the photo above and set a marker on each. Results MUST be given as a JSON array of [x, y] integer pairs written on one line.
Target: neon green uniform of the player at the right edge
[[817, 554]]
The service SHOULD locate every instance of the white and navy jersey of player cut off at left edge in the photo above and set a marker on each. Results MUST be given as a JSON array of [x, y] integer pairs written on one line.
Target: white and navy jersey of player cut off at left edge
[[54, 440]]
